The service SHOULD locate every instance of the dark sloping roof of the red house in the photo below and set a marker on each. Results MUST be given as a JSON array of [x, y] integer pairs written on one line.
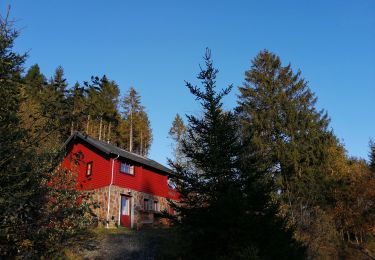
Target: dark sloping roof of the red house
[[111, 149]]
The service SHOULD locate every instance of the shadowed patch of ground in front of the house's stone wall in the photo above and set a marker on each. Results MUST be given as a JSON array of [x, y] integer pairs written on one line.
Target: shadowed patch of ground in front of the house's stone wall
[[121, 243]]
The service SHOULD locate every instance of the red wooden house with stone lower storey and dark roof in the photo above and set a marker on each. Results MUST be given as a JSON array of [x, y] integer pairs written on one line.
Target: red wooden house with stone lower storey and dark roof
[[130, 189]]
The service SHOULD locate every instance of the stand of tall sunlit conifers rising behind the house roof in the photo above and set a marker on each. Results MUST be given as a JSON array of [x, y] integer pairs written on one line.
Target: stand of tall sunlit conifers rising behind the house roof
[[93, 108]]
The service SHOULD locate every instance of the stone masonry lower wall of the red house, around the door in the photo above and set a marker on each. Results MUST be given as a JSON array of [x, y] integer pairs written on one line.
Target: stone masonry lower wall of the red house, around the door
[[139, 216]]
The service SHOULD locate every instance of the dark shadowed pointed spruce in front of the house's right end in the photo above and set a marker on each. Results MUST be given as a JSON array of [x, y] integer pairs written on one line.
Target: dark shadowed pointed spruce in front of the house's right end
[[220, 215]]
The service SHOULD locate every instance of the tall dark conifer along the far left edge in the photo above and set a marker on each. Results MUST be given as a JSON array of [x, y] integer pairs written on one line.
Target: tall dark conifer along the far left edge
[[18, 191]]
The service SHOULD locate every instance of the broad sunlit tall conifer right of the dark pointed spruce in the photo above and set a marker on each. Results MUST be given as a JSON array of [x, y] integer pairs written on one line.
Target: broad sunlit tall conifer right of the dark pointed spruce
[[290, 141]]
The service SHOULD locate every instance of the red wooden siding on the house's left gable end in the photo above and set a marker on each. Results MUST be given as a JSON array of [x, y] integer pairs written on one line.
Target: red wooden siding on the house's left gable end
[[101, 167]]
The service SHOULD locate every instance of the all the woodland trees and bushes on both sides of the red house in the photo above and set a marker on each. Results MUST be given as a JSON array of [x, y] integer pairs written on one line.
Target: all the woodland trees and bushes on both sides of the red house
[[268, 180]]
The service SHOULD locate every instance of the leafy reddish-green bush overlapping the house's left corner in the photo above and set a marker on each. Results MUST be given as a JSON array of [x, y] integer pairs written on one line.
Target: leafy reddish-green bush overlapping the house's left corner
[[68, 212]]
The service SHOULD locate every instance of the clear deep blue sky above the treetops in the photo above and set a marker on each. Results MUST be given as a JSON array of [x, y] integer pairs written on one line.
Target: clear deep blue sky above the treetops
[[156, 45]]
